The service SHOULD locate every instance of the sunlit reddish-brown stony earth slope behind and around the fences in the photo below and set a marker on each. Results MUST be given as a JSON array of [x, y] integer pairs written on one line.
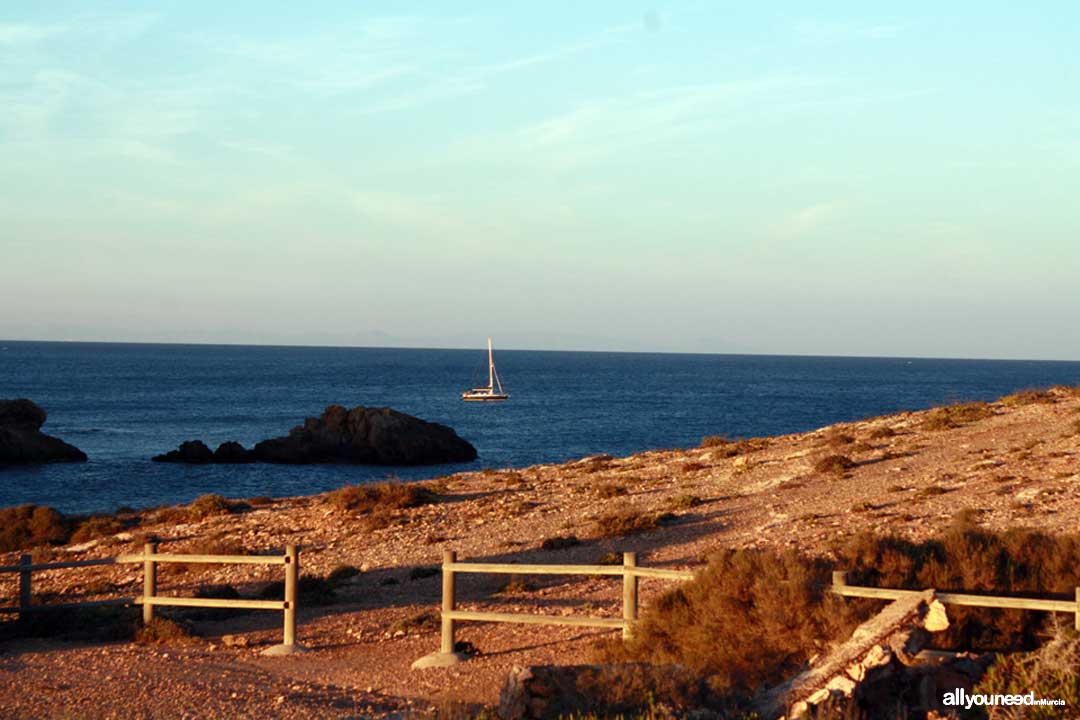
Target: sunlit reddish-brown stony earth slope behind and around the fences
[[911, 474]]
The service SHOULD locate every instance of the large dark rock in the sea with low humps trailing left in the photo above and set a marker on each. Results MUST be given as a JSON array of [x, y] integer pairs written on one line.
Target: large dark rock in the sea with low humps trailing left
[[374, 437]]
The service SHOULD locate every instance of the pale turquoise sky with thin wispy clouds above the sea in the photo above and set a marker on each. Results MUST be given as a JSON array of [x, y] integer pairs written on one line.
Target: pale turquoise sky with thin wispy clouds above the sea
[[834, 179]]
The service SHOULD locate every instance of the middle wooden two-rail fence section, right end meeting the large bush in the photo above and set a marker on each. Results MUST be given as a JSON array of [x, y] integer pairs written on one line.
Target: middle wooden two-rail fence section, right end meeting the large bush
[[629, 572]]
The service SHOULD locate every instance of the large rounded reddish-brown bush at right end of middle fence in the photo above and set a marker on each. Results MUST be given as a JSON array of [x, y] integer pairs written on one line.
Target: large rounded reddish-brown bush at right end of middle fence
[[750, 618]]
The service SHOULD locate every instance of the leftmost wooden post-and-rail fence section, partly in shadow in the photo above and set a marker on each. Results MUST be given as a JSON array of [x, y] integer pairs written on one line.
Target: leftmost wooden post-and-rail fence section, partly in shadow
[[151, 559]]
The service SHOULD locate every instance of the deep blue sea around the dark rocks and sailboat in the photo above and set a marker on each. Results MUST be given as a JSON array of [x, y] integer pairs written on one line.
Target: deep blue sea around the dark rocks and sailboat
[[123, 404]]
